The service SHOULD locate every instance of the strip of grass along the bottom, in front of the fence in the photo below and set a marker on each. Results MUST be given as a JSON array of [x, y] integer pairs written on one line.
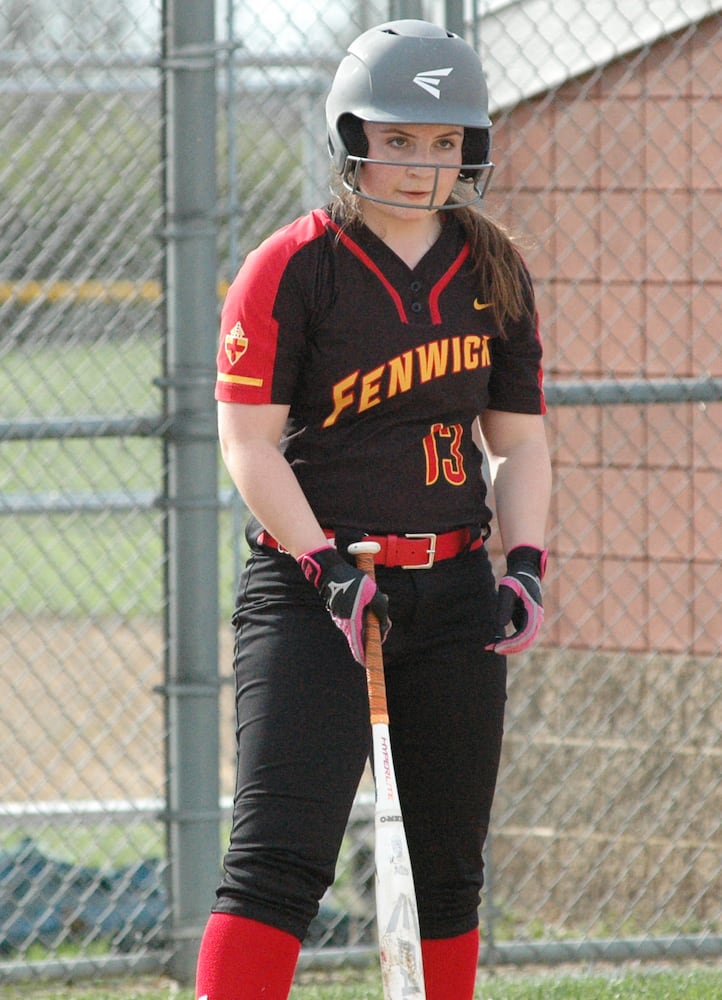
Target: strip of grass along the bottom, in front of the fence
[[681, 983]]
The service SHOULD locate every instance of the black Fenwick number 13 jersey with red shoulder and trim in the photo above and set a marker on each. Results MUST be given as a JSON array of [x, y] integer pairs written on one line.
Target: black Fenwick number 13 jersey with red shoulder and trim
[[384, 368]]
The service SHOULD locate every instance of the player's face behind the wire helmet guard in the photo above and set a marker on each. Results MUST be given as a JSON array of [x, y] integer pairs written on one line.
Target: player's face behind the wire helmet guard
[[421, 165]]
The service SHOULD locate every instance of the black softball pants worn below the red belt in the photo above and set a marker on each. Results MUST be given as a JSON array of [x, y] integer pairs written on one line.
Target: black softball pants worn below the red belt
[[304, 737]]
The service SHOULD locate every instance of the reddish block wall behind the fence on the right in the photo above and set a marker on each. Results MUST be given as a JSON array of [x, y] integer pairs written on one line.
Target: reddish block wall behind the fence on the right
[[615, 182]]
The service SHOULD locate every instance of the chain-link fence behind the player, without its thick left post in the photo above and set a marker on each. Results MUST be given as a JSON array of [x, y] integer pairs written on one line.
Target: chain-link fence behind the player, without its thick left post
[[606, 838]]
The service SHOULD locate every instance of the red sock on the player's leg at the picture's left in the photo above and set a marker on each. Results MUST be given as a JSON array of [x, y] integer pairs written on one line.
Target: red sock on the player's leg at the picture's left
[[242, 959]]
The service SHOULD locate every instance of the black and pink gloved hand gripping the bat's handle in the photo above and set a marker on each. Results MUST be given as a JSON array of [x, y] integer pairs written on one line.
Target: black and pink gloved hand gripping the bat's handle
[[348, 593]]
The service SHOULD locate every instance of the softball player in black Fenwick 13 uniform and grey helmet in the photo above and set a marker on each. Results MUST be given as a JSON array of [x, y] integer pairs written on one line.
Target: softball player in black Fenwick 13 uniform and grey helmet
[[362, 348]]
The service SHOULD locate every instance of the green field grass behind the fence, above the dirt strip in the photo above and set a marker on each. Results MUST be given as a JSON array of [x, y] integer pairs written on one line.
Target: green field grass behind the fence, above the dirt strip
[[79, 563]]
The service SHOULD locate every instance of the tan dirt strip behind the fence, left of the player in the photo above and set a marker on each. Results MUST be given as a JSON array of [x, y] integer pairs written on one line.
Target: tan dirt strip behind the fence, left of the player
[[82, 716]]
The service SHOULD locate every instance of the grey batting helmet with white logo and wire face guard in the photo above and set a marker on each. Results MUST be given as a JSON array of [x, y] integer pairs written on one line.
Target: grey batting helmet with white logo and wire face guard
[[414, 73]]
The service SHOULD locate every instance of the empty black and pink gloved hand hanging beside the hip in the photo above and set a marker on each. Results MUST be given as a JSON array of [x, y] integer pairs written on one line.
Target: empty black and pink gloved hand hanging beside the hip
[[519, 610]]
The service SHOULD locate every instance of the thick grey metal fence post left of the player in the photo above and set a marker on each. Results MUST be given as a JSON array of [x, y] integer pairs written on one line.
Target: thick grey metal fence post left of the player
[[193, 819]]
